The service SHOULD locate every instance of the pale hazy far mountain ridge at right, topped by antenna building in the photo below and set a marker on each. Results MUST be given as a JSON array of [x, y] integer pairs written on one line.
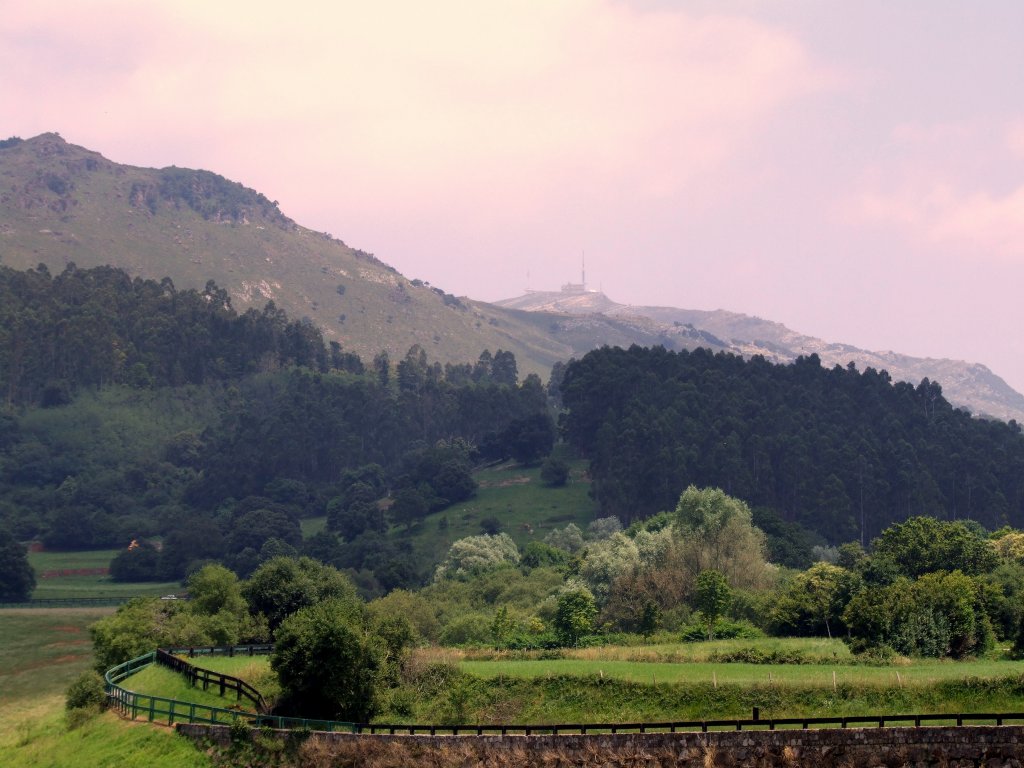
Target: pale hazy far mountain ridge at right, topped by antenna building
[[969, 386]]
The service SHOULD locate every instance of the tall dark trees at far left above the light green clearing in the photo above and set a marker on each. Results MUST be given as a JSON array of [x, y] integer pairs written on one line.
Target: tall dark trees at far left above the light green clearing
[[89, 328]]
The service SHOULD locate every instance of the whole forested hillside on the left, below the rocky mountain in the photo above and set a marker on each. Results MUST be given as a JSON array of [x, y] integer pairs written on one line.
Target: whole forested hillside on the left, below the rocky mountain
[[137, 411]]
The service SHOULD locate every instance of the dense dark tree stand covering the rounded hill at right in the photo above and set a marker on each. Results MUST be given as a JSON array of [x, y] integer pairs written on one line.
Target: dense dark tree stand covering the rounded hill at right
[[841, 452]]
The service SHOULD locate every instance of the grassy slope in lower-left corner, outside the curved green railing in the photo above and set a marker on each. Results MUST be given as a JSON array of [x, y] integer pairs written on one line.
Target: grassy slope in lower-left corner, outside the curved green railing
[[45, 651]]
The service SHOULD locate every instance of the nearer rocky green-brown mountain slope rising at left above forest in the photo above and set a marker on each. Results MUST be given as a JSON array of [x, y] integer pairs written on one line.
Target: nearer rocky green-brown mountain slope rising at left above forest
[[61, 203]]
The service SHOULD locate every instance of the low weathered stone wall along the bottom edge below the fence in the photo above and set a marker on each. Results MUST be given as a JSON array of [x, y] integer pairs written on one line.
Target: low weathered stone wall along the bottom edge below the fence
[[852, 748]]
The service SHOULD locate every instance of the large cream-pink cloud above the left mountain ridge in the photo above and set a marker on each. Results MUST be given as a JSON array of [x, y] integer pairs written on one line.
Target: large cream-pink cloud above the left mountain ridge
[[407, 104]]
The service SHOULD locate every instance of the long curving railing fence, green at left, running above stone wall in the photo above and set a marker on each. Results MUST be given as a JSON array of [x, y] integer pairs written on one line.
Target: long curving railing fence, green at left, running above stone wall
[[136, 705]]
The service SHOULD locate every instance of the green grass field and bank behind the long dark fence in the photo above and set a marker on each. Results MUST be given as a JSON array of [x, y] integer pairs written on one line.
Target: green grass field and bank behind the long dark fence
[[632, 685]]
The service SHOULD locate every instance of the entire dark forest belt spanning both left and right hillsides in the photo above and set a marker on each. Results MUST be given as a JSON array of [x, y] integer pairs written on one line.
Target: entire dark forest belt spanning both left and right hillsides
[[136, 411]]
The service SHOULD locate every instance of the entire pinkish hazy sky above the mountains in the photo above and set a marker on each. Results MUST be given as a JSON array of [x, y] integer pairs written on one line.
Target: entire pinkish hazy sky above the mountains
[[855, 170]]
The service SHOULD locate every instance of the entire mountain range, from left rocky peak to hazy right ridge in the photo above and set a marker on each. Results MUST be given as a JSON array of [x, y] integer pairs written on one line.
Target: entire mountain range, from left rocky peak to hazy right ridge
[[61, 204]]
